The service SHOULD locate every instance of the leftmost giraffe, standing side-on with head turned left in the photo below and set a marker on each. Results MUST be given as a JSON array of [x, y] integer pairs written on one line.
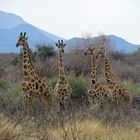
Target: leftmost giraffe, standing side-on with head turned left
[[32, 85]]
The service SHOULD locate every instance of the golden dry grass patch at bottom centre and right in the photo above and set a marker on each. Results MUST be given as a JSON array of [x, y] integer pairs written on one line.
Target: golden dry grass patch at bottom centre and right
[[95, 130]]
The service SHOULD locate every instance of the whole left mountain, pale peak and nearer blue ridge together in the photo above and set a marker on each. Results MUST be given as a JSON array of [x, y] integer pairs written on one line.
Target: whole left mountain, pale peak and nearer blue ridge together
[[11, 27]]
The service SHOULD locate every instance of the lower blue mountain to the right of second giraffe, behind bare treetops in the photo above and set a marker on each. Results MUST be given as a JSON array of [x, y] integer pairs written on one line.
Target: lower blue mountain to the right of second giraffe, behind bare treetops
[[118, 43]]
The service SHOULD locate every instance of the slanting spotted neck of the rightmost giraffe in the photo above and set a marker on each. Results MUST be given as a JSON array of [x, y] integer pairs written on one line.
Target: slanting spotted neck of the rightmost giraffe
[[110, 78]]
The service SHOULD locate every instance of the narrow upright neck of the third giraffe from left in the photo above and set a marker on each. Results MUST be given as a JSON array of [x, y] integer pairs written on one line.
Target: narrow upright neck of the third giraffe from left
[[93, 72]]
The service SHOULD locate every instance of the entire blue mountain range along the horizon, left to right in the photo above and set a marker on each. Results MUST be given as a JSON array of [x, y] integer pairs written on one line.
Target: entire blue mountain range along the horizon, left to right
[[11, 25]]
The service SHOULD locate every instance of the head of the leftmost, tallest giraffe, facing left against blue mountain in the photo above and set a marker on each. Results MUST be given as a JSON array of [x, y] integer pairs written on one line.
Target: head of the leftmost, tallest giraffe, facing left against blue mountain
[[22, 40]]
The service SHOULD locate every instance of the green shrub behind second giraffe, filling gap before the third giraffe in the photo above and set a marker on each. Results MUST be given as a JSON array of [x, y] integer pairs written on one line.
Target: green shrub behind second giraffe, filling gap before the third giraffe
[[79, 87]]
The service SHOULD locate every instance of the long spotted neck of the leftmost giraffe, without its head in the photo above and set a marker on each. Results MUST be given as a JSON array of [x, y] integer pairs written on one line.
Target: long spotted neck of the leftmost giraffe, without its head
[[28, 67]]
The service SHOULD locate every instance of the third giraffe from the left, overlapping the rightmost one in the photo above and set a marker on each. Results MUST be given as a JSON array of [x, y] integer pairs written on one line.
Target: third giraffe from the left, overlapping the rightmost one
[[97, 93]]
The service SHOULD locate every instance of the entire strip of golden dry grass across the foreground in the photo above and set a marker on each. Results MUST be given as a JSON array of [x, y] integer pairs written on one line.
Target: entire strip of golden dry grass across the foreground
[[73, 127]]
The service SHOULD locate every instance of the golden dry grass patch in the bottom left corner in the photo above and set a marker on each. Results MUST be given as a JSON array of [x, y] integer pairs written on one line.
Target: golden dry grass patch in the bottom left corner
[[13, 129]]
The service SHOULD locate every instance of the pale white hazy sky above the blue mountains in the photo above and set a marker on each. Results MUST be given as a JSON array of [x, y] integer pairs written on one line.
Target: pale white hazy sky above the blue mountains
[[70, 18]]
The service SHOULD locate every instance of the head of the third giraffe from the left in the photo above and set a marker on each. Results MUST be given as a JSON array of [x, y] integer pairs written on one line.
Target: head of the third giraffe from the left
[[90, 51]]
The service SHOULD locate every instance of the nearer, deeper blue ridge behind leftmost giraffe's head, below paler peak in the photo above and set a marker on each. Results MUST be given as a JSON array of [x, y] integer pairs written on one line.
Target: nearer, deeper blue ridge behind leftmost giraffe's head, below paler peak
[[9, 37]]
